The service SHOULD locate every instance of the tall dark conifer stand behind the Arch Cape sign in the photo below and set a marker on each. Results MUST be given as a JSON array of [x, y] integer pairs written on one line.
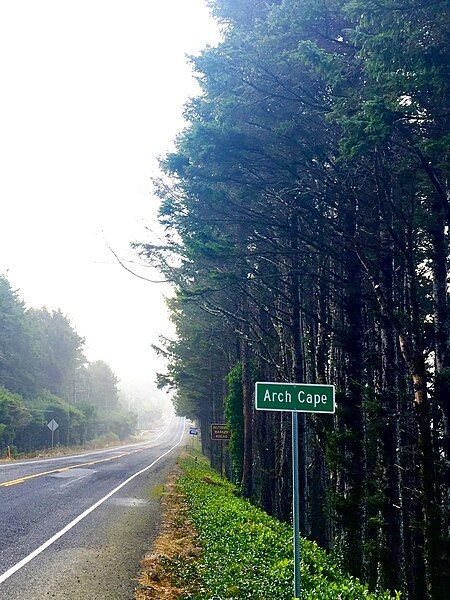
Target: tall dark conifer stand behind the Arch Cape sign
[[306, 218]]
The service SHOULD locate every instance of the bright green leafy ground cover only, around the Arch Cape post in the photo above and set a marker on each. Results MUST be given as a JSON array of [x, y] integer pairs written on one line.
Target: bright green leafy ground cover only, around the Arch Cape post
[[248, 555]]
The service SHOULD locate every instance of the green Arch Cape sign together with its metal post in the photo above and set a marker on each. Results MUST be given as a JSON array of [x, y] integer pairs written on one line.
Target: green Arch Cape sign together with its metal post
[[295, 397]]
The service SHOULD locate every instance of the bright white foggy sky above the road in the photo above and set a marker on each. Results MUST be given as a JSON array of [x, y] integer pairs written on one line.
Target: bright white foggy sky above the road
[[92, 93]]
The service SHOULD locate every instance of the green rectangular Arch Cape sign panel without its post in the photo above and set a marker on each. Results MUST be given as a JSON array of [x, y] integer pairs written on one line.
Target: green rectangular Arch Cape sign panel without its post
[[298, 397]]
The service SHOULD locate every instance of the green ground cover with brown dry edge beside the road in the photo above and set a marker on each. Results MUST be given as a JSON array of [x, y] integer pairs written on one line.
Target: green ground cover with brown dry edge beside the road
[[237, 551]]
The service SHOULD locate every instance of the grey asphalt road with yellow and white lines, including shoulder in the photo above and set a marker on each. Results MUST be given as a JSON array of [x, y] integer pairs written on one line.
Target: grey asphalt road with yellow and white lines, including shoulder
[[76, 527]]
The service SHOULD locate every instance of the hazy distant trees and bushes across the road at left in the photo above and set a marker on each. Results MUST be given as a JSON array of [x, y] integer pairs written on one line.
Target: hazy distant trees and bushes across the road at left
[[44, 375]]
